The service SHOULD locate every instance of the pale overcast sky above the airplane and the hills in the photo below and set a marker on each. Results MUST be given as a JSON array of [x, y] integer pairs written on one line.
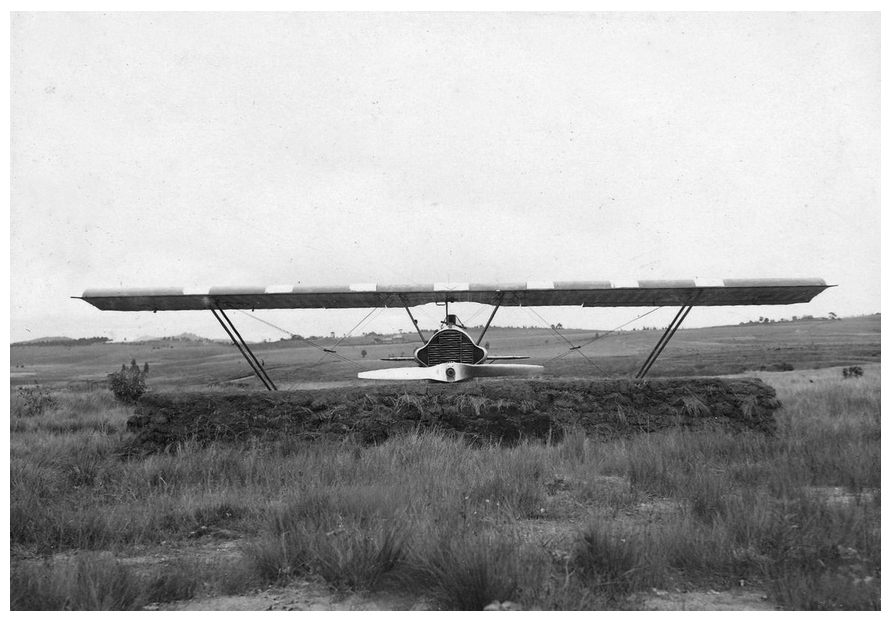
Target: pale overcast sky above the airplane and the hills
[[304, 148]]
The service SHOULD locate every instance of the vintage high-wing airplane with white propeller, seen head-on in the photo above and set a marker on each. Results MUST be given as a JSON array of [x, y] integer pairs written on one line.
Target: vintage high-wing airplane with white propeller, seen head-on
[[451, 354]]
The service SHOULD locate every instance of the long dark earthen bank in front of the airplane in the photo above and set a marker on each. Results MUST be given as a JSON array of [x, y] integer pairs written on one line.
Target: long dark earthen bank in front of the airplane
[[493, 411]]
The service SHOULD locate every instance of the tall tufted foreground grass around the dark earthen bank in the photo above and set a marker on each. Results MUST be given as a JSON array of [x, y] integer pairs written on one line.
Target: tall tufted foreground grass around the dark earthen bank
[[668, 520]]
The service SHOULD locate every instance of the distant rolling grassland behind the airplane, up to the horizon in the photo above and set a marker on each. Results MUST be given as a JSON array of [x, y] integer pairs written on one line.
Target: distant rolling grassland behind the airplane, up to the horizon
[[295, 364]]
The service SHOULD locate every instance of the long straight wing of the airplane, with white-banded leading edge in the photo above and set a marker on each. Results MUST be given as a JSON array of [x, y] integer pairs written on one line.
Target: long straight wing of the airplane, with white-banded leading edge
[[585, 293]]
